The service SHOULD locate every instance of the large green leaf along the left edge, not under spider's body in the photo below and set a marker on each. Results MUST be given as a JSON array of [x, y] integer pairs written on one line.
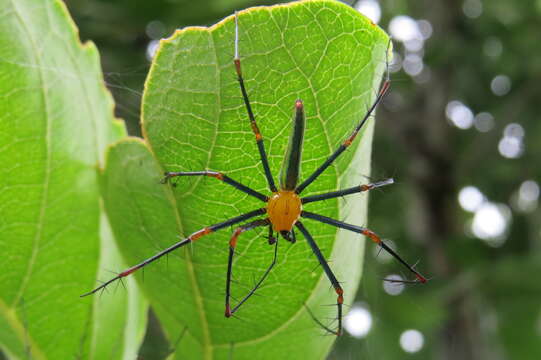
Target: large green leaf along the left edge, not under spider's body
[[56, 119]]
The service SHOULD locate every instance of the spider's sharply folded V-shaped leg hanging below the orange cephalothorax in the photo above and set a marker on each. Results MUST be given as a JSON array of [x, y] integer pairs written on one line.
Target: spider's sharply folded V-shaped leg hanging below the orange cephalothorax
[[232, 245]]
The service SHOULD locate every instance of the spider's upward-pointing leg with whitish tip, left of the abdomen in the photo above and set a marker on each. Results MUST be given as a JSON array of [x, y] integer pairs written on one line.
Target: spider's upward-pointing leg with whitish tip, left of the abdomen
[[253, 124]]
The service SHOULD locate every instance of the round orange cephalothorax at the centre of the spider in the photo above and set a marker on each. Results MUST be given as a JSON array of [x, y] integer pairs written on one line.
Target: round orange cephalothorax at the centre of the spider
[[284, 208]]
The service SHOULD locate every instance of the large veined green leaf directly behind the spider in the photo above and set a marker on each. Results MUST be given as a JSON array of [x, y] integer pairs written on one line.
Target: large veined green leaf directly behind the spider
[[321, 51]]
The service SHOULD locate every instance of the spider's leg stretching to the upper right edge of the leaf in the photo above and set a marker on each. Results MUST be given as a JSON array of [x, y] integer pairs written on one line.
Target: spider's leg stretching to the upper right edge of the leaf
[[352, 136]]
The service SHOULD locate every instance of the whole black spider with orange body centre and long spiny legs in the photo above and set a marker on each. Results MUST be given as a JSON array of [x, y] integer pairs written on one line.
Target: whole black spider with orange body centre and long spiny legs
[[283, 208]]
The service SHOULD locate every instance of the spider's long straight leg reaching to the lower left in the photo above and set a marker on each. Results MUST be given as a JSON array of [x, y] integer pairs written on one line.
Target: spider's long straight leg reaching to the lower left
[[193, 237]]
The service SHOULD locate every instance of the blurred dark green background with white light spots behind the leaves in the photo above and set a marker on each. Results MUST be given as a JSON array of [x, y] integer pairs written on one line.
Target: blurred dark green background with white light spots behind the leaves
[[458, 133]]
